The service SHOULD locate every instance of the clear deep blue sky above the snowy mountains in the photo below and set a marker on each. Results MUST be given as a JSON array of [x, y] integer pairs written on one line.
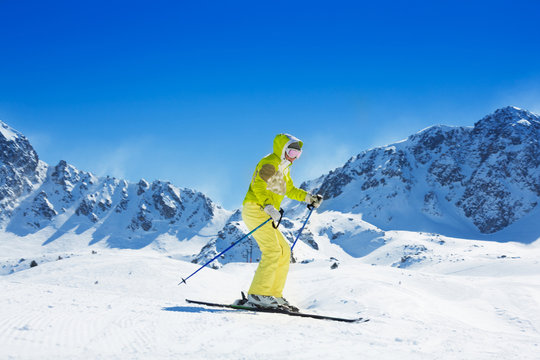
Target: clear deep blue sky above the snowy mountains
[[195, 91]]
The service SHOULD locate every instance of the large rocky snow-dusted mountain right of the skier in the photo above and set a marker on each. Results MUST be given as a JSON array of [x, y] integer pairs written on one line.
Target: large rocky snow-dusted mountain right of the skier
[[459, 181]]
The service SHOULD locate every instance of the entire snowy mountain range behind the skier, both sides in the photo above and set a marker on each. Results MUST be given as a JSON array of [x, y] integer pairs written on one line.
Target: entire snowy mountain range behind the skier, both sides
[[479, 182]]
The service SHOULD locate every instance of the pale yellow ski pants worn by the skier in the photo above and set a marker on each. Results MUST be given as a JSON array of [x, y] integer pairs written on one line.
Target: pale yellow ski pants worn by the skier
[[272, 271]]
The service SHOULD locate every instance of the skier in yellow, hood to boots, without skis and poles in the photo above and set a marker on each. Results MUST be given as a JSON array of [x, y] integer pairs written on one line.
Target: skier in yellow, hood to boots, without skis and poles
[[270, 183]]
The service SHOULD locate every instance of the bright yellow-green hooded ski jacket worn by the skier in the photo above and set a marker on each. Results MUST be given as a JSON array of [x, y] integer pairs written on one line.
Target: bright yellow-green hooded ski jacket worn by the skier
[[271, 181]]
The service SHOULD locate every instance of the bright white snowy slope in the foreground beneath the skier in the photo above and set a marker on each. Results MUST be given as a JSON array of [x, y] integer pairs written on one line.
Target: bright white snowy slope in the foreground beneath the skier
[[464, 300]]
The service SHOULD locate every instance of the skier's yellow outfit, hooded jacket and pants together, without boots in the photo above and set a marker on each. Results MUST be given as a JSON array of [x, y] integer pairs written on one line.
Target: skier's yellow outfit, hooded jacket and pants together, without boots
[[270, 183]]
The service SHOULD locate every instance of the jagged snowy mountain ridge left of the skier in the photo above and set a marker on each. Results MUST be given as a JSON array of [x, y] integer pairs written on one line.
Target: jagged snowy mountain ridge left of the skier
[[62, 200]]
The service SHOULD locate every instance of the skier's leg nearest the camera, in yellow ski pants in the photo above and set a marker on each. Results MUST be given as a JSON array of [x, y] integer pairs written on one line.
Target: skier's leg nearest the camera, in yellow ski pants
[[268, 242]]
